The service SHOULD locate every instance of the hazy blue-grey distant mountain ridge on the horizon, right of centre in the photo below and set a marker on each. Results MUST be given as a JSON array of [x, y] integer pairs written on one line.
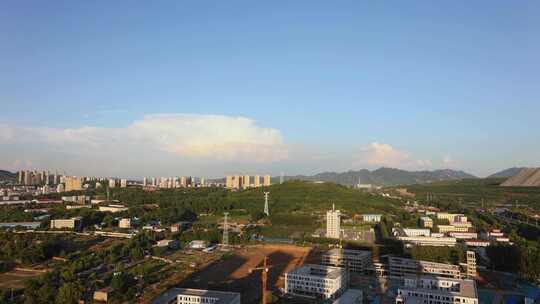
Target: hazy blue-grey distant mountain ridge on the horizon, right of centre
[[385, 177]]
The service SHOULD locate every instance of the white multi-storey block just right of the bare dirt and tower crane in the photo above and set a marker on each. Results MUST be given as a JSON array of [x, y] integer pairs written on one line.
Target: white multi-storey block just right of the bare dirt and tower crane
[[317, 281]]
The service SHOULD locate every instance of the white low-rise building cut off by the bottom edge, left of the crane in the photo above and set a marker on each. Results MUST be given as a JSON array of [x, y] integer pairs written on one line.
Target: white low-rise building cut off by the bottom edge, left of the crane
[[196, 296]]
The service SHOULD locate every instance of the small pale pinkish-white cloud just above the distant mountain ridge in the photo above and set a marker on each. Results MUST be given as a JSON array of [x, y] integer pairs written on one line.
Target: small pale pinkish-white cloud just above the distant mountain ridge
[[384, 155]]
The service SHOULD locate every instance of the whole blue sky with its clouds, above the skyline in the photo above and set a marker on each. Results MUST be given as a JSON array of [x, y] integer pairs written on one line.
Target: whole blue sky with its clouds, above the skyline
[[297, 86]]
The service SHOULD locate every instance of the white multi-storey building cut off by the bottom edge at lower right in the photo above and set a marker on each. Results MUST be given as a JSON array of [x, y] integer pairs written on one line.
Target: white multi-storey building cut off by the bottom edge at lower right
[[429, 289]]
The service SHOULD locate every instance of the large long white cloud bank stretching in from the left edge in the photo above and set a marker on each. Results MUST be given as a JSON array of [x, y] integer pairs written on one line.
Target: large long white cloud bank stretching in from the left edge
[[186, 136]]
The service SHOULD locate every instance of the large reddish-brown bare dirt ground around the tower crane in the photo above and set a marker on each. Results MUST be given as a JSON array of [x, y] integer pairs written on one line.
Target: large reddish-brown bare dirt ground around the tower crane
[[233, 272]]
